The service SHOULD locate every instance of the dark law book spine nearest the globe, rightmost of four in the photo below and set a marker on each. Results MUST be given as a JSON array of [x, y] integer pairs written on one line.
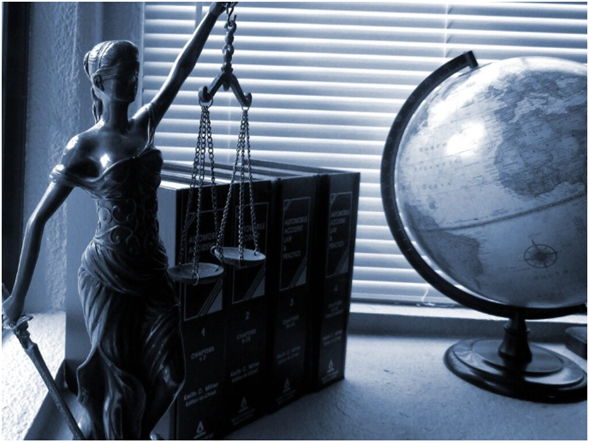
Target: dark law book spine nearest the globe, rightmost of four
[[333, 277]]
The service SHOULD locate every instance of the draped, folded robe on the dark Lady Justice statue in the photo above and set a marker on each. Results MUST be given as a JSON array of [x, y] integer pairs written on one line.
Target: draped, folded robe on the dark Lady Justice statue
[[135, 367]]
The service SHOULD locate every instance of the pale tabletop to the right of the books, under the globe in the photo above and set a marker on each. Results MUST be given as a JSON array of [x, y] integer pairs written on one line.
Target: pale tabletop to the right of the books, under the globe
[[399, 388]]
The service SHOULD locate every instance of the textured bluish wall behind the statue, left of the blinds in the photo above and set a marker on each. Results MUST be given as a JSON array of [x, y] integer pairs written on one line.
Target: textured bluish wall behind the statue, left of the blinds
[[59, 107]]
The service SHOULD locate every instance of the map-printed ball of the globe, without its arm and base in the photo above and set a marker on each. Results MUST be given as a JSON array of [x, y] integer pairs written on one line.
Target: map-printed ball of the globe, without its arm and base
[[491, 181]]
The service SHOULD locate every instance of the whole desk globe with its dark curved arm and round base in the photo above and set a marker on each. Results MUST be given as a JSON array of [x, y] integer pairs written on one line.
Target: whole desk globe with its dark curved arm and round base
[[484, 187]]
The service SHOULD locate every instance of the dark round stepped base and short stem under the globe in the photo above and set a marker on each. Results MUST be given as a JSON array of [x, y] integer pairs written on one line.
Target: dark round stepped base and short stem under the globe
[[514, 368]]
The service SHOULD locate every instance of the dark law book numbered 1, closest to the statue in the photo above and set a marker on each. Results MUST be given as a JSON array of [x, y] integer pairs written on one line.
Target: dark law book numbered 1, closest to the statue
[[199, 405]]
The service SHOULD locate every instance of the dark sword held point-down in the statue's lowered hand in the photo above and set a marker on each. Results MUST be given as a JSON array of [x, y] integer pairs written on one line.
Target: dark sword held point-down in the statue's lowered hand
[[20, 329]]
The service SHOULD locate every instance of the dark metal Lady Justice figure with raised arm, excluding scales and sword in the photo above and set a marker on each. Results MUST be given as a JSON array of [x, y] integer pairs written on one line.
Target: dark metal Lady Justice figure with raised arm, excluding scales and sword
[[135, 368]]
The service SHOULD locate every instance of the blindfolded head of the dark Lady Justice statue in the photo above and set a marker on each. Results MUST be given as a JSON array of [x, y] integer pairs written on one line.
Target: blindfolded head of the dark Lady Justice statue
[[113, 69]]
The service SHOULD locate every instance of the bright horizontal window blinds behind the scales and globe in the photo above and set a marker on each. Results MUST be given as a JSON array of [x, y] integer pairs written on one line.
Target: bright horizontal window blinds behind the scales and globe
[[328, 80]]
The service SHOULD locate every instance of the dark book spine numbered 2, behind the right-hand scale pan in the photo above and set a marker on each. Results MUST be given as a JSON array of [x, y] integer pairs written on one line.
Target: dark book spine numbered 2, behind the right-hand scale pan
[[246, 301]]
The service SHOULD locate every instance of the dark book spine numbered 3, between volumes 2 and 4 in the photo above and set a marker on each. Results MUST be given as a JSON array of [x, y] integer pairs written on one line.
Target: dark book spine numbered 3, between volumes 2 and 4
[[289, 288]]
